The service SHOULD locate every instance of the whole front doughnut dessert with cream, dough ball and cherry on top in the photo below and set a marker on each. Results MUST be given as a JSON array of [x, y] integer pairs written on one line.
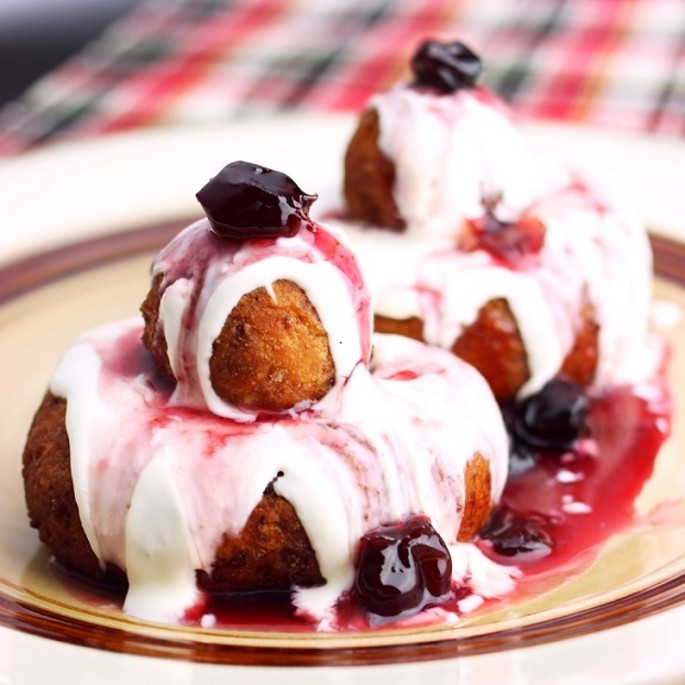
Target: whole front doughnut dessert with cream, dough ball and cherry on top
[[399, 439]]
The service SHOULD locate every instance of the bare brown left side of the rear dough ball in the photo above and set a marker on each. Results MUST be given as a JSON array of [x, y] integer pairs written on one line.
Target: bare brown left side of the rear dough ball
[[369, 177]]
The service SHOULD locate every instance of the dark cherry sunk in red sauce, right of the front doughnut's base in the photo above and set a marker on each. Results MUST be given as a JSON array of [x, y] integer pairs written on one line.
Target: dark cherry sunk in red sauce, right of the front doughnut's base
[[513, 534]]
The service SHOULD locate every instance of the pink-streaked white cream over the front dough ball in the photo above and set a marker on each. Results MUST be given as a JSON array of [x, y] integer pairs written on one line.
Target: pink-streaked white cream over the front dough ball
[[229, 273]]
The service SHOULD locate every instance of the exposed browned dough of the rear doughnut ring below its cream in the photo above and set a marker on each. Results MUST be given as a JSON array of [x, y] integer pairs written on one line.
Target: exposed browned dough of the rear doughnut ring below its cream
[[493, 345]]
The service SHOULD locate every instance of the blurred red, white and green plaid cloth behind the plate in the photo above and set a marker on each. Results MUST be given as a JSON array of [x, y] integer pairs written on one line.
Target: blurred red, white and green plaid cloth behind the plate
[[611, 63]]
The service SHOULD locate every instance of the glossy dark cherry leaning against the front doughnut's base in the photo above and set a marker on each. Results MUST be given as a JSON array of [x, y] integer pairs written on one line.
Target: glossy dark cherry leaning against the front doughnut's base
[[402, 568]]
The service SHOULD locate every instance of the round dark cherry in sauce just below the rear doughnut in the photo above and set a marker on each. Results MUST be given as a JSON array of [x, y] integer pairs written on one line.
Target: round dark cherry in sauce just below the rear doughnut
[[554, 418]]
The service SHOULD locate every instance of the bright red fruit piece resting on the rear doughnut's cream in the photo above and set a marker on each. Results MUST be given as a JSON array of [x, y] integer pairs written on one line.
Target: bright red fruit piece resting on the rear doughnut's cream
[[506, 240]]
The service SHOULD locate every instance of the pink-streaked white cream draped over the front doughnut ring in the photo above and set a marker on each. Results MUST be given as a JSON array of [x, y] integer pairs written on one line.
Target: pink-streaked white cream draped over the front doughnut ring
[[373, 462]]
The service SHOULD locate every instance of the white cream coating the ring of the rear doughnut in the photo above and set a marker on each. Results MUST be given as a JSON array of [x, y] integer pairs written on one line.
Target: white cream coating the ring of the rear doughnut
[[594, 247]]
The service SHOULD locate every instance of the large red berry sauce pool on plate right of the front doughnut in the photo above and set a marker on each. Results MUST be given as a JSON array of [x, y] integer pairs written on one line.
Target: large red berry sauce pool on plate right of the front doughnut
[[560, 505]]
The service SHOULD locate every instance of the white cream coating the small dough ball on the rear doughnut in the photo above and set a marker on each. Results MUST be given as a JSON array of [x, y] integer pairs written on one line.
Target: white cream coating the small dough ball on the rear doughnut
[[448, 152]]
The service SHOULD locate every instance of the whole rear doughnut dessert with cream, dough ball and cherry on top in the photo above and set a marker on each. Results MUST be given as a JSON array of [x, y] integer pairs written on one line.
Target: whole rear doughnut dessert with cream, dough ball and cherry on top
[[473, 243]]
